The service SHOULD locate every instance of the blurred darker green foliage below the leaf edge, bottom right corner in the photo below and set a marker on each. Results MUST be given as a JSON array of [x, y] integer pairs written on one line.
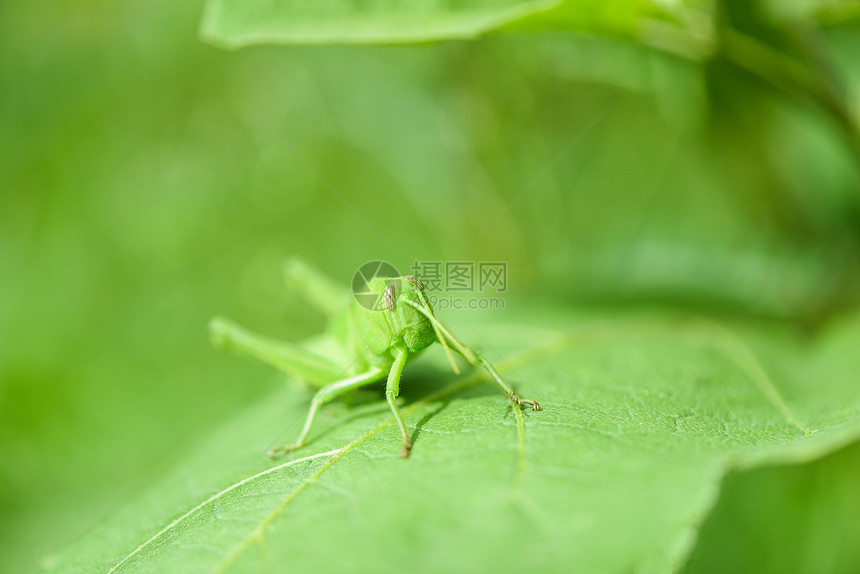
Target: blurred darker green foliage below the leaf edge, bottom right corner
[[798, 518]]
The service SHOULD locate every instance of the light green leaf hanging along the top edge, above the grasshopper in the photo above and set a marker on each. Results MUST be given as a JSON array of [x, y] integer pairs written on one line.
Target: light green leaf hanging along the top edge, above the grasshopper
[[235, 23]]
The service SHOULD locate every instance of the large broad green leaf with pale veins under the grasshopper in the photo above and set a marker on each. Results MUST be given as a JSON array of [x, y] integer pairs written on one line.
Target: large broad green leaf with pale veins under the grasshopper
[[642, 419]]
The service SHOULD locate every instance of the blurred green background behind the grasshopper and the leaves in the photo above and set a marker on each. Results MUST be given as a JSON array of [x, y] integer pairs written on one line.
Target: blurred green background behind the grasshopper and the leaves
[[149, 181]]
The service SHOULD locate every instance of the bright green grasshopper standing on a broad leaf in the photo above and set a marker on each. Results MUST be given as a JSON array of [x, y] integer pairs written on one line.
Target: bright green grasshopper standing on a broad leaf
[[382, 340]]
